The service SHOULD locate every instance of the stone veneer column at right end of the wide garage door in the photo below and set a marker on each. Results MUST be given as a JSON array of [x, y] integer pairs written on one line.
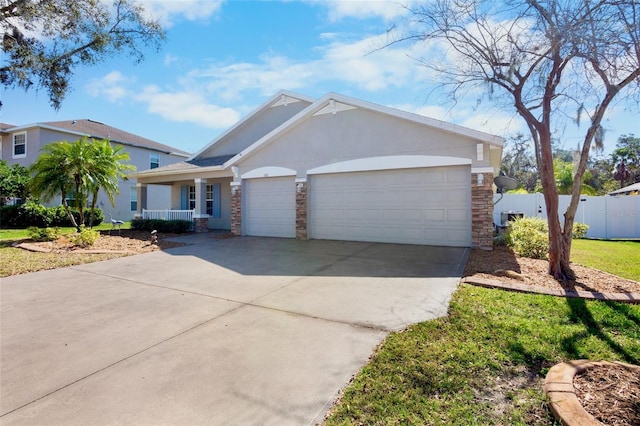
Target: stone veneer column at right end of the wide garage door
[[482, 211]]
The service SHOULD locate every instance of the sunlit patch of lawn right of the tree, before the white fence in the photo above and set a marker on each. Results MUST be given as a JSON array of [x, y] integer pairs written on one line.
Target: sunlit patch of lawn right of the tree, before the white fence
[[621, 258]]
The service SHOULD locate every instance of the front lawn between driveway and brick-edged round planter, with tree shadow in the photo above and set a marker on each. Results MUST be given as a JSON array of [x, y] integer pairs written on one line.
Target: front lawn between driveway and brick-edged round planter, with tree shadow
[[485, 363]]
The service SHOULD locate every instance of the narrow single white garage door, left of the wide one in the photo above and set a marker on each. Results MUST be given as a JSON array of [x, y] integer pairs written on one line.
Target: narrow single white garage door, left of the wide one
[[270, 207]]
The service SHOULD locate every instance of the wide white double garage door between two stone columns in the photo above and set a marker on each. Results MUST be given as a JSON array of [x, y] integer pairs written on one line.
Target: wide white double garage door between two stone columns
[[429, 206]]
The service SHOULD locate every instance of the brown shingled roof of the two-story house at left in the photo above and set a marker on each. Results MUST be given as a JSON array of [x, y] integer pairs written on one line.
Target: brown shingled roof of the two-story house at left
[[98, 130]]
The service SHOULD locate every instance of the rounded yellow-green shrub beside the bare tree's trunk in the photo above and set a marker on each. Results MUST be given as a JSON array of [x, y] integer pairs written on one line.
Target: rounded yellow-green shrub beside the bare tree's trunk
[[528, 237]]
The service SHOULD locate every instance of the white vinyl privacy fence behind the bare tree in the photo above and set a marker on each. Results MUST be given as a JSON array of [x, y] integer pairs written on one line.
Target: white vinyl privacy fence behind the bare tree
[[608, 217]]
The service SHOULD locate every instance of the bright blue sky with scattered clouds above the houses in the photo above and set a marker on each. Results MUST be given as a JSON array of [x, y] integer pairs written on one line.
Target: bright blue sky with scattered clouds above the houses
[[222, 59]]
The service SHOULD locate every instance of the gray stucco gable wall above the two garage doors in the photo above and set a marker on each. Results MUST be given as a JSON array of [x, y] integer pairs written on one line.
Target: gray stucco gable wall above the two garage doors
[[355, 134]]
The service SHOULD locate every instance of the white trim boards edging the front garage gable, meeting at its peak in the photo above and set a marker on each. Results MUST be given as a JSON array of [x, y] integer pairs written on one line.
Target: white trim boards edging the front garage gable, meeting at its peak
[[334, 103]]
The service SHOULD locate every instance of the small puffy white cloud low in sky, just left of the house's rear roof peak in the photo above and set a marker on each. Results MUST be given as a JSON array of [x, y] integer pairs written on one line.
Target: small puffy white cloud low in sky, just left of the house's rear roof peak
[[190, 107]]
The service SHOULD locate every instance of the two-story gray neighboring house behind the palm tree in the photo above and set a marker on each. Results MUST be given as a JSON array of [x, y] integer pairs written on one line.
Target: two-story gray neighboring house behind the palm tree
[[22, 144]]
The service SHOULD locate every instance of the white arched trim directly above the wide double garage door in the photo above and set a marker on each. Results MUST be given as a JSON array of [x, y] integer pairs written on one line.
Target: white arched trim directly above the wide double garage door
[[392, 162]]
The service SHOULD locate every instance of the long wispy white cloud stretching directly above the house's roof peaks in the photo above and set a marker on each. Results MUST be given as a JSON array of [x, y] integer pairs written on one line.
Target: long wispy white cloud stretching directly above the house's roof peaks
[[357, 64]]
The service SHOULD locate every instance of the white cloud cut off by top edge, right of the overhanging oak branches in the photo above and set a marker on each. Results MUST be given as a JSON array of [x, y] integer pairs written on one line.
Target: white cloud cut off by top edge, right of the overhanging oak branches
[[167, 11]]
